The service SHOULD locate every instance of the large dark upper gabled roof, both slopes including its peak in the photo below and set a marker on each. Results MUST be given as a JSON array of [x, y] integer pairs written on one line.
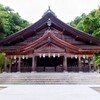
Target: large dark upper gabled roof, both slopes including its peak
[[49, 16]]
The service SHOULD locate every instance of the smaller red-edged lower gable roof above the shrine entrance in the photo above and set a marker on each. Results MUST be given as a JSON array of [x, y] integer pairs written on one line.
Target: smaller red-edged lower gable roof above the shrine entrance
[[48, 36]]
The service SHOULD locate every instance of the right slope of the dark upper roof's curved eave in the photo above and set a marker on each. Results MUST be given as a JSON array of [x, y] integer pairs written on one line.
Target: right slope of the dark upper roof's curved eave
[[76, 32]]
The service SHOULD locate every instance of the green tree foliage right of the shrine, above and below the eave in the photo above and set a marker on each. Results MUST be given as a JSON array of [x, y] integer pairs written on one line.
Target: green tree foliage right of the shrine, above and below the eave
[[90, 24]]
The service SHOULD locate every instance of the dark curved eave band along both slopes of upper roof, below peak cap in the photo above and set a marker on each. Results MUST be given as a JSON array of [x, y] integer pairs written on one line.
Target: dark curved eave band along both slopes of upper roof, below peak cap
[[56, 21]]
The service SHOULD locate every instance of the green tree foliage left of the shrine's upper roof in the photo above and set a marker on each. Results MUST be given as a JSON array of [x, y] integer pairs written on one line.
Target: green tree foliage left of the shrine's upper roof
[[10, 21]]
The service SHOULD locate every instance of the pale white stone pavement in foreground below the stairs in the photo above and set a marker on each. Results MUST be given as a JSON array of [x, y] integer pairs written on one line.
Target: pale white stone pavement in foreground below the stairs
[[49, 92]]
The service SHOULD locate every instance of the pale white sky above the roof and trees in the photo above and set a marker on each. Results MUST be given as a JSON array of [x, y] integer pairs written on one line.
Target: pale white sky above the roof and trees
[[65, 10]]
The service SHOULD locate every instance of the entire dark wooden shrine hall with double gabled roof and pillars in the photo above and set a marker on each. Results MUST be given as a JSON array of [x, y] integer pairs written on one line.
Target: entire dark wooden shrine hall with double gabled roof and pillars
[[50, 45]]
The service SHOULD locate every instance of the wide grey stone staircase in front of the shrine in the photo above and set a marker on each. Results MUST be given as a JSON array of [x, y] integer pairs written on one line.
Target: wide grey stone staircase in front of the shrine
[[50, 78]]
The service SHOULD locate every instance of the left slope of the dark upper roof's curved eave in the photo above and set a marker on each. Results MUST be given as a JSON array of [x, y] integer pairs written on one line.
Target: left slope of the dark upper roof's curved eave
[[27, 30]]
